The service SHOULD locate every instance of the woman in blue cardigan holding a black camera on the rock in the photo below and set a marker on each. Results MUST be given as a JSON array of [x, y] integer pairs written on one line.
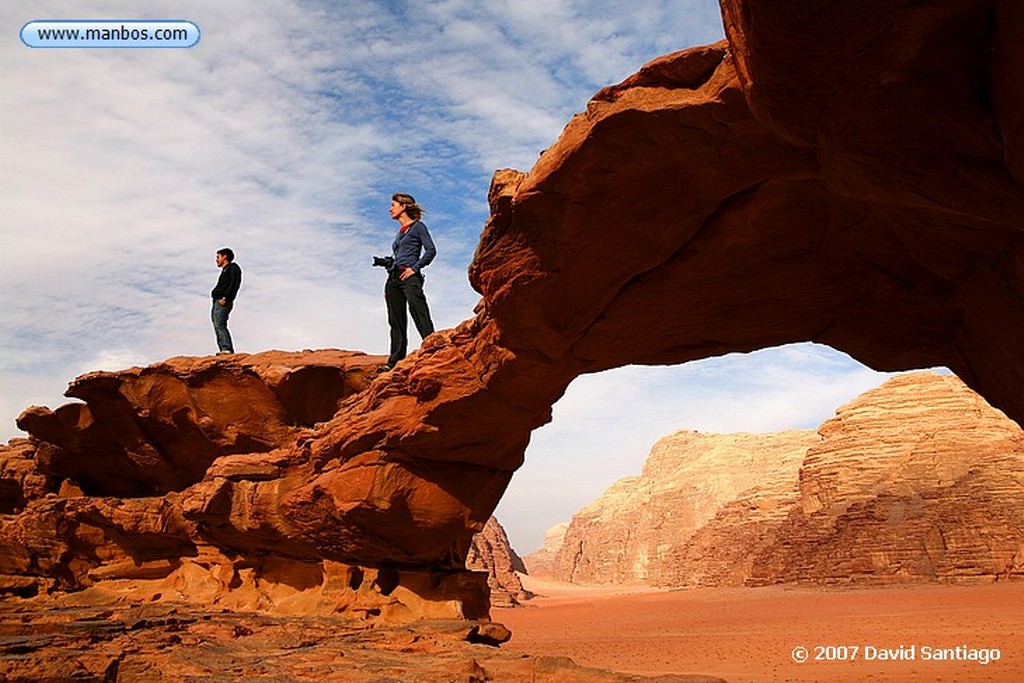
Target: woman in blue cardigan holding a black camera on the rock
[[412, 251]]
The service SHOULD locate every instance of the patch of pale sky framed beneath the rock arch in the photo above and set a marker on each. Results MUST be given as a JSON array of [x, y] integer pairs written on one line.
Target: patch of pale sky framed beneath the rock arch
[[606, 424]]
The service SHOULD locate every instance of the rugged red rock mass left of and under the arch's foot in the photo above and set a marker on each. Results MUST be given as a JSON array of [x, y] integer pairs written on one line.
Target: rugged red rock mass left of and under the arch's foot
[[166, 485]]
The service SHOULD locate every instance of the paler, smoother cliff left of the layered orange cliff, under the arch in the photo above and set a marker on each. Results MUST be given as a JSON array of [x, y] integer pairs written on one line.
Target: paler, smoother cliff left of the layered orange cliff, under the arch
[[633, 531]]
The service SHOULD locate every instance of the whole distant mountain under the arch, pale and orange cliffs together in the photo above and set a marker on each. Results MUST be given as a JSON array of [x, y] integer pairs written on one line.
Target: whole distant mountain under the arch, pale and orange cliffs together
[[919, 480]]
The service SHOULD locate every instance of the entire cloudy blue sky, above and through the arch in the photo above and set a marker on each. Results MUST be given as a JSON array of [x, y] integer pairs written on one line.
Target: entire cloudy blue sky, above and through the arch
[[283, 135]]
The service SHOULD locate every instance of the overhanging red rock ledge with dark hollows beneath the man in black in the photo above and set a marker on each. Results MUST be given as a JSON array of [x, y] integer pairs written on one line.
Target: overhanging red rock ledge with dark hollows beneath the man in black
[[147, 432]]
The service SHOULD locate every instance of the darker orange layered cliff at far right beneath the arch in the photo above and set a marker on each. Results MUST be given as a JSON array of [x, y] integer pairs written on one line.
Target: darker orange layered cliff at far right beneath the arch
[[918, 481]]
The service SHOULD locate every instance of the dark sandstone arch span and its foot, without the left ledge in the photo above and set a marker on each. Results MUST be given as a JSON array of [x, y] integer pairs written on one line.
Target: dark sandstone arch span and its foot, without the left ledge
[[850, 177]]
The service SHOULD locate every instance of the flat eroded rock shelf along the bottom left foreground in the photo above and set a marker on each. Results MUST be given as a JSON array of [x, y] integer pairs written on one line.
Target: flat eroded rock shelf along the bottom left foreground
[[168, 644]]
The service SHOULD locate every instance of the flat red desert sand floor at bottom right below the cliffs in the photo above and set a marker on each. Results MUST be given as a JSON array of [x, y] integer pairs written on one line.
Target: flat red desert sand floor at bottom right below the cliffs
[[904, 633]]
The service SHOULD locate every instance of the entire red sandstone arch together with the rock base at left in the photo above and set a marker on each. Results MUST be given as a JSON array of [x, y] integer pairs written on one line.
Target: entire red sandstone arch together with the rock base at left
[[849, 177]]
